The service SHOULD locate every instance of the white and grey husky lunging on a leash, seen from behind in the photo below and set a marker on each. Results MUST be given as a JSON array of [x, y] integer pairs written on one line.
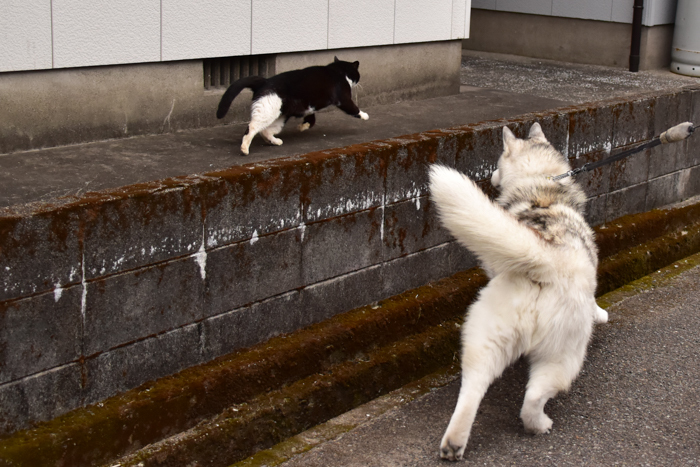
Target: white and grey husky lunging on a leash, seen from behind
[[541, 258]]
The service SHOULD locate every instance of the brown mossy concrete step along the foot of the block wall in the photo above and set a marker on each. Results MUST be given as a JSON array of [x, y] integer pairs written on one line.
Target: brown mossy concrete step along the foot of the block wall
[[221, 412]]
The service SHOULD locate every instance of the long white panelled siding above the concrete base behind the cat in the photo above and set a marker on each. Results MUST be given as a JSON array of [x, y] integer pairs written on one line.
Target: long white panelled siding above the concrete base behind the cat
[[39, 34]]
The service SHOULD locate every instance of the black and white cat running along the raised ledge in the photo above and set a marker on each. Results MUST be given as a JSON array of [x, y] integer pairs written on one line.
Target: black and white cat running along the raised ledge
[[296, 93]]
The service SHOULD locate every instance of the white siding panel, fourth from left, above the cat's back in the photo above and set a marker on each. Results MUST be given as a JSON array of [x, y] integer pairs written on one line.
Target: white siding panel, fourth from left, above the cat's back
[[289, 26]]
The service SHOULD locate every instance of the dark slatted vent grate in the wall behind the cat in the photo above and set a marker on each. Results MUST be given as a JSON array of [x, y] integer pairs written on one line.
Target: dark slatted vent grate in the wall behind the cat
[[221, 72]]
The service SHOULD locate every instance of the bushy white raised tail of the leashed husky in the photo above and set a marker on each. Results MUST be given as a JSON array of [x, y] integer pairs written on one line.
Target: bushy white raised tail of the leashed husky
[[496, 237]]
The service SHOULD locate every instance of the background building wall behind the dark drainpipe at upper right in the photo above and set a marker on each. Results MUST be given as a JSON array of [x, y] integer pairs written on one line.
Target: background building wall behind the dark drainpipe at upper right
[[596, 32]]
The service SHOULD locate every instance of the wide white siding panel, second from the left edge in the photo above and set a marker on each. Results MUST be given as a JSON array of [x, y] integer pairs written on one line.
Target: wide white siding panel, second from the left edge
[[105, 32]]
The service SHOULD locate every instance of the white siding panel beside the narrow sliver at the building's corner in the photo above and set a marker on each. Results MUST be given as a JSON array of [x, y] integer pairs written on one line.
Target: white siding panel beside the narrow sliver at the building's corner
[[419, 21]]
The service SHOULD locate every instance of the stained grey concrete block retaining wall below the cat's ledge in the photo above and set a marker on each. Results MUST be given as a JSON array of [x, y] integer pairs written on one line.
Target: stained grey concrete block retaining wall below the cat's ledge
[[107, 291]]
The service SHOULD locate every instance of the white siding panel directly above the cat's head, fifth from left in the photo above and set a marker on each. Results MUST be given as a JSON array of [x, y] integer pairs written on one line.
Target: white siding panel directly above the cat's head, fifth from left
[[360, 23]]
